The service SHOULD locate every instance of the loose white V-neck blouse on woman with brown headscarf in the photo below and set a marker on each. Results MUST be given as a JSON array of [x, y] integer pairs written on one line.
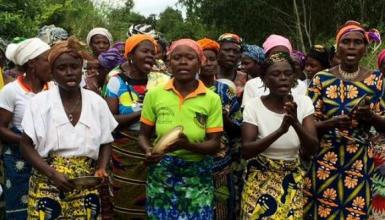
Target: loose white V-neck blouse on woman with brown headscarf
[[47, 124]]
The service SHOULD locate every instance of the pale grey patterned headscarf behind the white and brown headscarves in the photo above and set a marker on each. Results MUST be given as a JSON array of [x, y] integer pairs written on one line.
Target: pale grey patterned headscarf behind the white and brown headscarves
[[52, 34]]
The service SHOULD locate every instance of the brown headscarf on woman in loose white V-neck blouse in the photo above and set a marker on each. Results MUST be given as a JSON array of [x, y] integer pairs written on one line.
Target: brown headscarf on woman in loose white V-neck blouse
[[71, 45]]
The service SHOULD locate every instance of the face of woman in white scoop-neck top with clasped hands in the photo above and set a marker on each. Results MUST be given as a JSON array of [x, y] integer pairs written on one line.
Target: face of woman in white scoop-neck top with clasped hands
[[279, 78]]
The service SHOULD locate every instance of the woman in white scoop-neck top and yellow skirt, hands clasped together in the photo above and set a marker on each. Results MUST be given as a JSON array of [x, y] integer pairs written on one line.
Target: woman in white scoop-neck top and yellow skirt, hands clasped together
[[277, 133]]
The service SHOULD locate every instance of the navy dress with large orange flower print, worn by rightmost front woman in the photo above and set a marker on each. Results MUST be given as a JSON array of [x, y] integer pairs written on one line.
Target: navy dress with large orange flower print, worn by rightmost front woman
[[338, 184]]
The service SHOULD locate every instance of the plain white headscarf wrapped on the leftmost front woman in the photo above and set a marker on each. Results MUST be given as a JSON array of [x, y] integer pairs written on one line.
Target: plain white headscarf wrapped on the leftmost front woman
[[24, 51]]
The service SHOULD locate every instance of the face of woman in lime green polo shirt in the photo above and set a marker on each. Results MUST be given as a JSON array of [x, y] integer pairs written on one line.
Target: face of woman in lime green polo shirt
[[184, 63]]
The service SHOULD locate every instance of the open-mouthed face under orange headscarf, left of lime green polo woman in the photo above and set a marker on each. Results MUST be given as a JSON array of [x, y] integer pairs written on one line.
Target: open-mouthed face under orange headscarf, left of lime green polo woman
[[143, 57]]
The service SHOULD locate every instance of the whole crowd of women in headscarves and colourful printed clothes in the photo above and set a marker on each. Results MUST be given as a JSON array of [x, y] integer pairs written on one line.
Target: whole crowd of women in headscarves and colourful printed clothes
[[283, 135]]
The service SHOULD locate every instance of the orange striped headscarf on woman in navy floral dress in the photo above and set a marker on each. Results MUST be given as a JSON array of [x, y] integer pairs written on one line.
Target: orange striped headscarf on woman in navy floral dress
[[373, 35]]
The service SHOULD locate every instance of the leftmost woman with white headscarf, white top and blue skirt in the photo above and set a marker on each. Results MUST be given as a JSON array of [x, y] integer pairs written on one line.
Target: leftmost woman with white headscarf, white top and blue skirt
[[31, 56]]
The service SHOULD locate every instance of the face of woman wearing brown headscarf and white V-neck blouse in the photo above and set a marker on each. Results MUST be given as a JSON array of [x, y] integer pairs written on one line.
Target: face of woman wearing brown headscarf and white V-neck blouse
[[67, 71]]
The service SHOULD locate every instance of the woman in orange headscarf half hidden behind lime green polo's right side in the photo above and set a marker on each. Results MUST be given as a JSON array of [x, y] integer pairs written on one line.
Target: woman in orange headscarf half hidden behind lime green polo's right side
[[225, 187]]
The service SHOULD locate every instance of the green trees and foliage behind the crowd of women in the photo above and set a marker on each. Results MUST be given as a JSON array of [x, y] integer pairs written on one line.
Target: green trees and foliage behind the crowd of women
[[305, 22]]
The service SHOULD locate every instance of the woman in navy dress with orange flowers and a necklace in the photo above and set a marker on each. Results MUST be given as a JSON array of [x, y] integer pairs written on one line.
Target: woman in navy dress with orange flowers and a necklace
[[347, 99]]
